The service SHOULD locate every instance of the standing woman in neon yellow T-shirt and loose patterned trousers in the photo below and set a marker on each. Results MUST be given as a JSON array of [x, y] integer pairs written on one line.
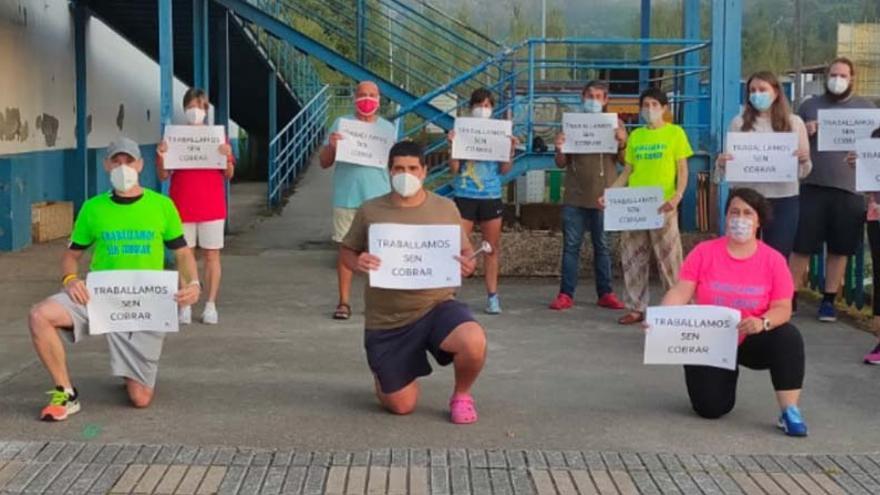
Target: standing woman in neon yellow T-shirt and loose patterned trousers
[[656, 155]]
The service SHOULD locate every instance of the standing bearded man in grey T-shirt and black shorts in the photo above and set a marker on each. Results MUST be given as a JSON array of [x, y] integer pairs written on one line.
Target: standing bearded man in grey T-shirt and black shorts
[[831, 212]]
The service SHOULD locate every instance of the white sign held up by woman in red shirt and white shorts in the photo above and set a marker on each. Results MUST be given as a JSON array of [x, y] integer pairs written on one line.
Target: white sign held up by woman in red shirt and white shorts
[[194, 146]]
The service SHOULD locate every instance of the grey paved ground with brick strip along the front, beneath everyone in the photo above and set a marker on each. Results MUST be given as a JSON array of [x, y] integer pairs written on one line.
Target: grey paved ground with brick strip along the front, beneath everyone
[[278, 374]]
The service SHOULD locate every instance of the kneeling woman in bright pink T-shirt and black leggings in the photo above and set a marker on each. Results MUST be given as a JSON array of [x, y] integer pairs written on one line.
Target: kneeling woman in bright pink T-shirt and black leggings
[[741, 272]]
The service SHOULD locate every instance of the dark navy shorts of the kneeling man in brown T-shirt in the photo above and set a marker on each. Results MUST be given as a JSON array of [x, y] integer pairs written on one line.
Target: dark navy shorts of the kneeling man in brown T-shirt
[[397, 356]]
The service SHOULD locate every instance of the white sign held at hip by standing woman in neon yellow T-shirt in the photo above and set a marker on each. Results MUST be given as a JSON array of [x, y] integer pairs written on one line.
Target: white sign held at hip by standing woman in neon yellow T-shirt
[[633, 208]]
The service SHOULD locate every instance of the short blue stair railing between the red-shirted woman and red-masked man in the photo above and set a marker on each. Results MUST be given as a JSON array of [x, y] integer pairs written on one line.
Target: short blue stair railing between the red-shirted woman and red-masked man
[[293, 146]]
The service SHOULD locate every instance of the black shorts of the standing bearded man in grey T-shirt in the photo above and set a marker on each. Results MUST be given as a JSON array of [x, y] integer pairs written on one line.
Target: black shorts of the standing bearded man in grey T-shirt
[[829, 216]]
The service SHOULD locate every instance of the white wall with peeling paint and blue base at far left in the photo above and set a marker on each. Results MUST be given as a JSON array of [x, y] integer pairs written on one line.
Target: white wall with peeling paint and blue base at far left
[[38, 109]]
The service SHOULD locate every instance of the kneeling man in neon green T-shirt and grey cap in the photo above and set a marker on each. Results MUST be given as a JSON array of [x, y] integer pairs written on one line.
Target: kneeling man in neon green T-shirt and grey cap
[[128, 229]]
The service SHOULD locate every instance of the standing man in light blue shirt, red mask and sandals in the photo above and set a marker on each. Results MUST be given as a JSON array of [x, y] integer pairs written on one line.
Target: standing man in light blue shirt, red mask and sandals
[[353, 184]]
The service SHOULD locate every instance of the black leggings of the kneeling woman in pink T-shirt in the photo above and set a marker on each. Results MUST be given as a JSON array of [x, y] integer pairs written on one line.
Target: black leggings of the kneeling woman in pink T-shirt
[[781, 350]]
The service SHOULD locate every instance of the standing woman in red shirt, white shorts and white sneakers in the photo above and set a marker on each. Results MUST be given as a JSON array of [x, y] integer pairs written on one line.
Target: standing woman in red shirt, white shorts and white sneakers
[[200, 197]]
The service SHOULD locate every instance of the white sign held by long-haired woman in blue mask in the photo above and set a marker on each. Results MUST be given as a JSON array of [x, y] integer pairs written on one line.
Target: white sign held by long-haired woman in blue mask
[[762, 157]]
